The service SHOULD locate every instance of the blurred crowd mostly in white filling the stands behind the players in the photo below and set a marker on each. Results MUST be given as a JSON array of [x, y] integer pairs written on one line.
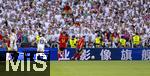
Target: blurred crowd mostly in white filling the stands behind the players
[[110, 20]]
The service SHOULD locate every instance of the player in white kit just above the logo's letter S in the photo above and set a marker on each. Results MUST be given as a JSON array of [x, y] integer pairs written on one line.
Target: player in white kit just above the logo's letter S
[[41, 46]]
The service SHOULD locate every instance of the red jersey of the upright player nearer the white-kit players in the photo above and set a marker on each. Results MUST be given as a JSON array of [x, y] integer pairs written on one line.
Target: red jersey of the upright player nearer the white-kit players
[[63, 41]]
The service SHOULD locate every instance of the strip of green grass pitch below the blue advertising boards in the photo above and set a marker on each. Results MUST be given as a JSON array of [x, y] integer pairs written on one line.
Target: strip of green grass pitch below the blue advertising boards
[[100, 68]]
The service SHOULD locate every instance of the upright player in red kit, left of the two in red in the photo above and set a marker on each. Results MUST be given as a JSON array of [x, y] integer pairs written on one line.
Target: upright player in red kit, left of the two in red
[[63, 39]]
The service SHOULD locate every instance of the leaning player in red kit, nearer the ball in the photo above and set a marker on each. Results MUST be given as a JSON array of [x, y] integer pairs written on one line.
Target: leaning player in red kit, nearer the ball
[[79, 50]]
